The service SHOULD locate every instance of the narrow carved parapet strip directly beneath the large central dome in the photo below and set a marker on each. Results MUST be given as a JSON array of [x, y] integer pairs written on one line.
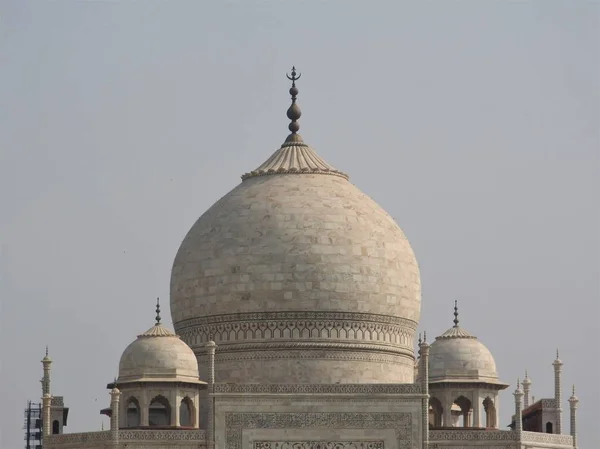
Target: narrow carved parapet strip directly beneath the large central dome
[[341, 389]]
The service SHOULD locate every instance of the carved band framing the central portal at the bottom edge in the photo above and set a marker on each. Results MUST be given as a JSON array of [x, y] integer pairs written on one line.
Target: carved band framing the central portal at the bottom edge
[[401, 423]]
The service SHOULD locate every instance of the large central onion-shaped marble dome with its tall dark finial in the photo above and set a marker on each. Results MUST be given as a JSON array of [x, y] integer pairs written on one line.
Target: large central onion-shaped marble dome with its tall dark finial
[[299, 277]]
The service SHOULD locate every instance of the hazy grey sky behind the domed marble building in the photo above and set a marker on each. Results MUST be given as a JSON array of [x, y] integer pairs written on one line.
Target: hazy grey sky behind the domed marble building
[[475, 124]]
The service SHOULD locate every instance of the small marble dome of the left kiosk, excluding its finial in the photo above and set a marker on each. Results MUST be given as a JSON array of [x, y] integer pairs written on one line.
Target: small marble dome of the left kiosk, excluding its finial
[[158, 355]]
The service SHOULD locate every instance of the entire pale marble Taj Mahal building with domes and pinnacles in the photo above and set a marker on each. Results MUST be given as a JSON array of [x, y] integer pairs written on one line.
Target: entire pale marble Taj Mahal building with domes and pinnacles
[[295, 301]]
